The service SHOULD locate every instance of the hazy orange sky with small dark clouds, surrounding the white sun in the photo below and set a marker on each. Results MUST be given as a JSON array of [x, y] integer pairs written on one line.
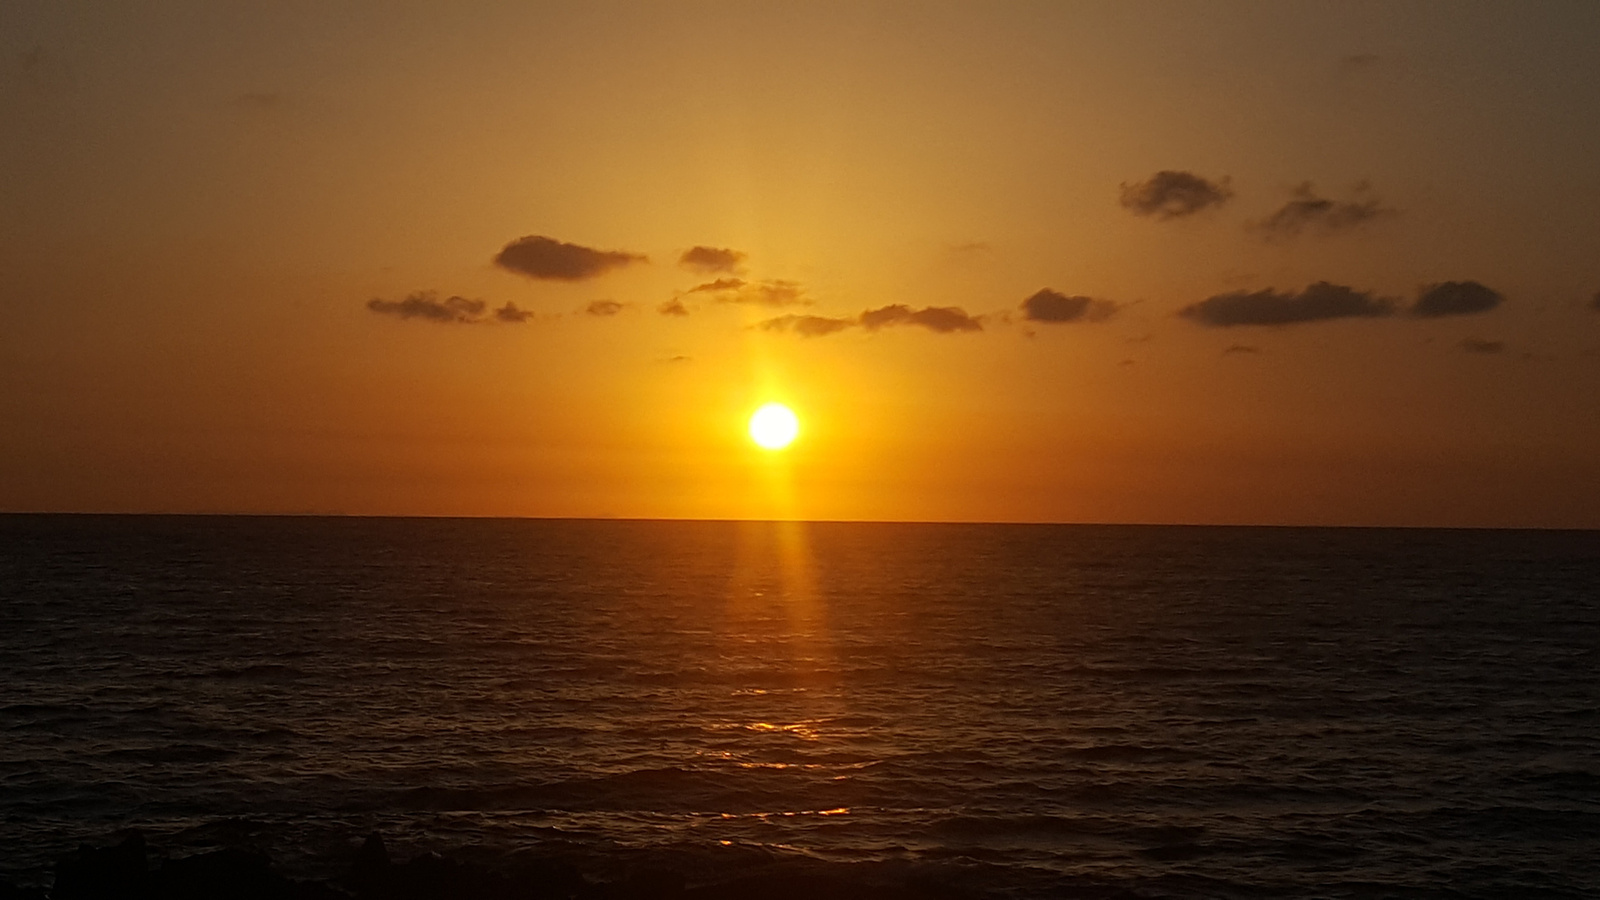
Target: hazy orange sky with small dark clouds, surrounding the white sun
[[1127, 262]]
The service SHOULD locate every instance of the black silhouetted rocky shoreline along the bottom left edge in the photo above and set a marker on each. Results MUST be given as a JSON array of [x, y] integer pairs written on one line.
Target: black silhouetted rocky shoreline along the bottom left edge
[[127, 872]]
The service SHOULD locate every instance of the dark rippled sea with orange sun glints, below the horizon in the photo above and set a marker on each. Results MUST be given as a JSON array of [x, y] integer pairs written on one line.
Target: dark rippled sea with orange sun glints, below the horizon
[[1010, 712]]
